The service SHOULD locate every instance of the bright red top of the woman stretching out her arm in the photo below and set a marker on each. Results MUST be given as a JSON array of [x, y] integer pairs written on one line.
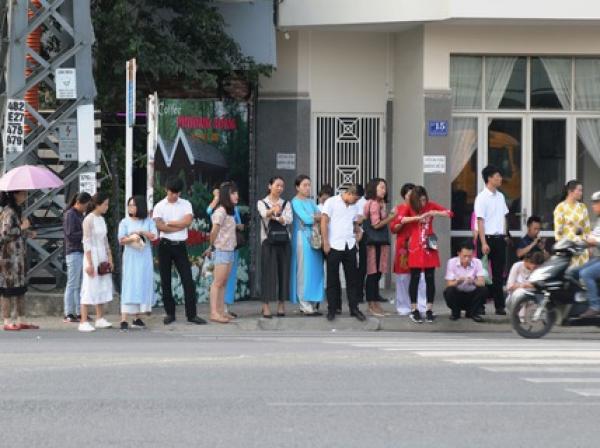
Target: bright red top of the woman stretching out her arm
[[419, 254]]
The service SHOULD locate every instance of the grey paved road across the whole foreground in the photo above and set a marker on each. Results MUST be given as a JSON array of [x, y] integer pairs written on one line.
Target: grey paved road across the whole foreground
[[160, 388]]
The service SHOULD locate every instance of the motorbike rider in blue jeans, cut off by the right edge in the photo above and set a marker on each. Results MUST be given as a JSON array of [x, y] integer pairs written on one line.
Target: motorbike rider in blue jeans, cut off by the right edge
[[589, 273]]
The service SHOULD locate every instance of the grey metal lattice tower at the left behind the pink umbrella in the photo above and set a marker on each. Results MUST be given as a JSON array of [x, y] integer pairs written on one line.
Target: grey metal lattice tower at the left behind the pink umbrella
[[67, 38]]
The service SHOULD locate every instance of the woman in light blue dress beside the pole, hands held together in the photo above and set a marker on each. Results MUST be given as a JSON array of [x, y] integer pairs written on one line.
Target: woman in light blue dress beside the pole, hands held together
[[136, 232]]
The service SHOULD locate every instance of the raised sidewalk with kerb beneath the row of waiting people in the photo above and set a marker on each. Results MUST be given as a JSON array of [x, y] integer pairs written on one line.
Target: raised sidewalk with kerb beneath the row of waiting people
[[46, 310]]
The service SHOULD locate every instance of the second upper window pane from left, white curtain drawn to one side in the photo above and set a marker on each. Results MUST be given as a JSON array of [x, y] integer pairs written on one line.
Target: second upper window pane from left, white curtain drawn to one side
[[506, 82]]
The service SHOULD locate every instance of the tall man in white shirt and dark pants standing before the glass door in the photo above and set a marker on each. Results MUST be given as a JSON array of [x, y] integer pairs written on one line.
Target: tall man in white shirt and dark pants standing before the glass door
[[491, 211]]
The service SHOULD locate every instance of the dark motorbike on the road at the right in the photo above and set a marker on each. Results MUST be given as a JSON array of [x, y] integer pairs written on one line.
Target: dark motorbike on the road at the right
[[556, 295]]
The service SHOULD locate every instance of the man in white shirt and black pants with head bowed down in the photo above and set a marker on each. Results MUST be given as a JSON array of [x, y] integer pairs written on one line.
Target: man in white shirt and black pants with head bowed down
[[341, 232]]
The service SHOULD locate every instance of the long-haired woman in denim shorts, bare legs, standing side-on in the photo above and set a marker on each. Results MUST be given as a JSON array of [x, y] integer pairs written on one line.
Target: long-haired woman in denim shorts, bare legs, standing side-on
[[222, 246]]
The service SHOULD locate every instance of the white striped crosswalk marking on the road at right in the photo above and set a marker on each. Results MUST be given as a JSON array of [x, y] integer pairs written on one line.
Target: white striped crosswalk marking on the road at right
[[577, 359]]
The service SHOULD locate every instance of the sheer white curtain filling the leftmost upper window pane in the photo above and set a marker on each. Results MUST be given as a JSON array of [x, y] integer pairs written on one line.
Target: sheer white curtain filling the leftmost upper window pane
[[465, 81]]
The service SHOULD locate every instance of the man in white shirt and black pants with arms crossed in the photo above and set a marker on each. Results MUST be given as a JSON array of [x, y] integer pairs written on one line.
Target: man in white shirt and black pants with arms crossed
[[173, 216]]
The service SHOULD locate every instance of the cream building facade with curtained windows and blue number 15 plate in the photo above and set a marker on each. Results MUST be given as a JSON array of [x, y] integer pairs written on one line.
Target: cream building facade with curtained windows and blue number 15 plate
[[389, 87]]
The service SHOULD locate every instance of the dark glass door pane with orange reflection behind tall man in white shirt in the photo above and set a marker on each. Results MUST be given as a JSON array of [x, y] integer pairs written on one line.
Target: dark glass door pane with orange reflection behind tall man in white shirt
[[505, 150]]
